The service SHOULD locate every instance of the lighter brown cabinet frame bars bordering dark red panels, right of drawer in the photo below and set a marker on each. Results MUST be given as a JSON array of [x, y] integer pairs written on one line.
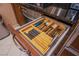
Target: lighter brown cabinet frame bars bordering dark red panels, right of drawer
[[69, 41]]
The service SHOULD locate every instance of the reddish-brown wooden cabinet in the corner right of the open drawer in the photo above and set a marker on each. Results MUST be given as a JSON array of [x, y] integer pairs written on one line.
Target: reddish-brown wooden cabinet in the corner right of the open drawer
[[71, 47]]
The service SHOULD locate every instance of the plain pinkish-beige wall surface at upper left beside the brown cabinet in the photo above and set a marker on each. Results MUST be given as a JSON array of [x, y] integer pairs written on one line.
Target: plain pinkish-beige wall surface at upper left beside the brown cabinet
[[8, 14]]
